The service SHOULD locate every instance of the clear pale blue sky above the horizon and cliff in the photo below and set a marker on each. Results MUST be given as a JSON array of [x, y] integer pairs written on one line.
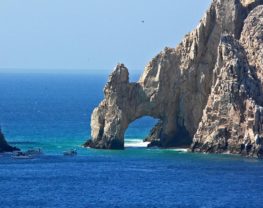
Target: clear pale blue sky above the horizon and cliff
[[86, 35]]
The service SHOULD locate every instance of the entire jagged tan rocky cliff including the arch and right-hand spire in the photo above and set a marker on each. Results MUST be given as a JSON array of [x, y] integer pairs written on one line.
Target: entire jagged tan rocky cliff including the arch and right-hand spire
[[206, 92]]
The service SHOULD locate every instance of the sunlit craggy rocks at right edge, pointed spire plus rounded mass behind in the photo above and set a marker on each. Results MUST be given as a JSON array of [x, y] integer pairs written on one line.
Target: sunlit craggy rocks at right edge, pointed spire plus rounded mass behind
[[232, 120]]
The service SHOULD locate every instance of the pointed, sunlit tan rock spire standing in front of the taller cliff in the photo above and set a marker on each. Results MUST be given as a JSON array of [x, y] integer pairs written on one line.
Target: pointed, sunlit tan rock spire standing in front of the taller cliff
[[228, 120]]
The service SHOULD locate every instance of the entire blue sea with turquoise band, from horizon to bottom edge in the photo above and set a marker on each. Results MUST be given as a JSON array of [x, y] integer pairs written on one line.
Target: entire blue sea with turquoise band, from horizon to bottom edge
[[53, 112]]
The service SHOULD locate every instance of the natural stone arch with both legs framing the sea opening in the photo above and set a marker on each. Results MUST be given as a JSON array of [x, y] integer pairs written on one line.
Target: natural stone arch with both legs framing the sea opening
[[126, 102]]
